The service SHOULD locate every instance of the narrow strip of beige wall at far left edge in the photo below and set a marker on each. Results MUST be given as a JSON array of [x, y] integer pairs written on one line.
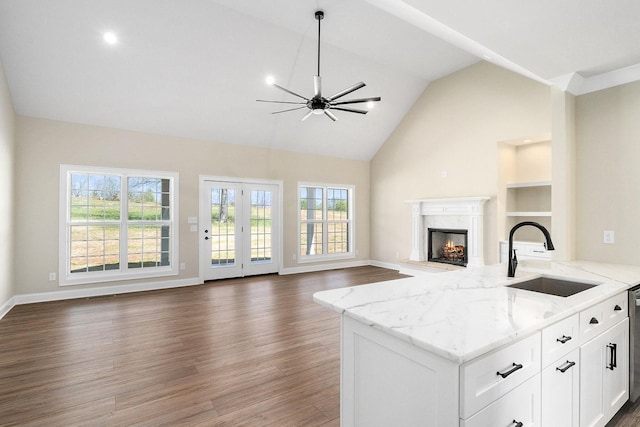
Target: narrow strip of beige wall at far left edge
[[7, 125]]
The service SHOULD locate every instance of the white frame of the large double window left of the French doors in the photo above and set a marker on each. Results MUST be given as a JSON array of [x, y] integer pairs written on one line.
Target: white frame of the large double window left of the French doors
[[124, 272]]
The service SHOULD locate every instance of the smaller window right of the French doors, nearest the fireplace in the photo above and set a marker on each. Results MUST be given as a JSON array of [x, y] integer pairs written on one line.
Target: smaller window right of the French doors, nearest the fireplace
[[326, 221]]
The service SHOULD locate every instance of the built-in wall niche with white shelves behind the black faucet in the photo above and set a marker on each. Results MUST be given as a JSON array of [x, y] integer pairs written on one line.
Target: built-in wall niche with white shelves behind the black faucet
[[525, 186]]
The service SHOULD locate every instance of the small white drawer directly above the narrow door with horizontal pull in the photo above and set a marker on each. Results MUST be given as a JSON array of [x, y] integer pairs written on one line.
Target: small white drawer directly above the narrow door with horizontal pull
[[560, 338]]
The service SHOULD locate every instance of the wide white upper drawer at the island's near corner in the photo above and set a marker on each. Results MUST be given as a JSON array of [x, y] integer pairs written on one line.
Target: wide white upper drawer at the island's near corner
[[487, 378]]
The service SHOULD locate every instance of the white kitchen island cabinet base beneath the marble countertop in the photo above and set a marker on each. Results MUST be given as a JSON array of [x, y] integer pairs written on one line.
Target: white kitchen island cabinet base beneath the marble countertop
[[572, 373]]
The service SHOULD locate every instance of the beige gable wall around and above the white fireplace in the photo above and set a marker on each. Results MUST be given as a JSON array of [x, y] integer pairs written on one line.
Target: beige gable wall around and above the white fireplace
[[455, 127]]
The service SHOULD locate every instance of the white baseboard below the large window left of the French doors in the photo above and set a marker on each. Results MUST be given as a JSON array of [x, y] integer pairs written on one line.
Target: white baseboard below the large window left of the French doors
[[102, 291]]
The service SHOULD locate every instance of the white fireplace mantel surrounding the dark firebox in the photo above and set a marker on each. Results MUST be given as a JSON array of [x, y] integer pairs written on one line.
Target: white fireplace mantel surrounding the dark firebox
[[465, 213]]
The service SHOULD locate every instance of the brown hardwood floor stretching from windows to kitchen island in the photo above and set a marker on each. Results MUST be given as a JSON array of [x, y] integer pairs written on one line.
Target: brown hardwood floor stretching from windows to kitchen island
[[242, 352]]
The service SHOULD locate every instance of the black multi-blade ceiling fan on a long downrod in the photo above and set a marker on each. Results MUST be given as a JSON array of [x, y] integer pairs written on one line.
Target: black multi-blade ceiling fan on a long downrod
[[318, 104]]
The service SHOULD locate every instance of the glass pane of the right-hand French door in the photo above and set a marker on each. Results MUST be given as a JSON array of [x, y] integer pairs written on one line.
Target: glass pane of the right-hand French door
[[261, 209]]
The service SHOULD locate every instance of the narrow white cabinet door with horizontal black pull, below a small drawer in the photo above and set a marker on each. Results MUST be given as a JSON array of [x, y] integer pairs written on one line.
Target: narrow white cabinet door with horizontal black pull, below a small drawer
[[561, 392]]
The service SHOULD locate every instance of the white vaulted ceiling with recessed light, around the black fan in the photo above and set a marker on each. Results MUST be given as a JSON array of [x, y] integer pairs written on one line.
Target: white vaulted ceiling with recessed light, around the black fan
[[195, 68]]
